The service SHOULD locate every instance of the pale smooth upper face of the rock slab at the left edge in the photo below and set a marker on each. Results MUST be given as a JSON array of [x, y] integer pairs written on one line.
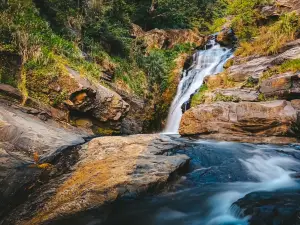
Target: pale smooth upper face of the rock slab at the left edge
[[23, 130]]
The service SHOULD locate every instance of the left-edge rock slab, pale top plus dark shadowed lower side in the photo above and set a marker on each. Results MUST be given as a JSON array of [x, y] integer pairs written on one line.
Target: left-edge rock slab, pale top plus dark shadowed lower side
[[23, 132]]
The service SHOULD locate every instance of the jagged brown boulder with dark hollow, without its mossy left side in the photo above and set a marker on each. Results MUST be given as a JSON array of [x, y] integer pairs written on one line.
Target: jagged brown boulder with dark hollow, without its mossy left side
[[103, 107]]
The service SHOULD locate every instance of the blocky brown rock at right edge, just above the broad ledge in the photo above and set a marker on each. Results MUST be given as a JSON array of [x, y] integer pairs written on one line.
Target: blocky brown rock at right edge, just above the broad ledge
[[284, 86]]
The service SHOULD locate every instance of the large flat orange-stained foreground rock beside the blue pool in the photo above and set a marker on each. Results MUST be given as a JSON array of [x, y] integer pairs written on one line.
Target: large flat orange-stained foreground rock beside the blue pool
[[107, 168]]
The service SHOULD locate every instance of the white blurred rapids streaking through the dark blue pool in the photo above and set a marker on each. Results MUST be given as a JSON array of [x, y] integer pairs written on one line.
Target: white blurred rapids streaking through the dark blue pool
[[273, 174]]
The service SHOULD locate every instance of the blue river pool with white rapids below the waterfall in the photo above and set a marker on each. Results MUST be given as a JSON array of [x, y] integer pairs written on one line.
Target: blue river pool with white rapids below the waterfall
[[220, 173]]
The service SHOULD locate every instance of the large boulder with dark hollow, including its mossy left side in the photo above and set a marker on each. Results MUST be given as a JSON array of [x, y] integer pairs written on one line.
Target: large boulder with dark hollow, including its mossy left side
[[89, 103]]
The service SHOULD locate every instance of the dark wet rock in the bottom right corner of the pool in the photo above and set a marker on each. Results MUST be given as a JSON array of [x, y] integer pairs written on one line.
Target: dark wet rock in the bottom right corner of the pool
[[281, 207]]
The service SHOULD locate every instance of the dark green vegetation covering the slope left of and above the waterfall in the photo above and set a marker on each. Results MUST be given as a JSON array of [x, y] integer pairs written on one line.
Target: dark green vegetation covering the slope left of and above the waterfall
[[49, 35]]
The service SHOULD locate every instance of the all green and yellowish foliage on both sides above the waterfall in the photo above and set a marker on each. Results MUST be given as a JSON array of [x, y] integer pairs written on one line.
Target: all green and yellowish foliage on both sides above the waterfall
[[95, 36]]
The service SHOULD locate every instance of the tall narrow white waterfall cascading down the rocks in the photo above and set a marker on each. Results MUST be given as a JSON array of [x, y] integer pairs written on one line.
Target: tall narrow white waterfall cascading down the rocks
[[205, 62]]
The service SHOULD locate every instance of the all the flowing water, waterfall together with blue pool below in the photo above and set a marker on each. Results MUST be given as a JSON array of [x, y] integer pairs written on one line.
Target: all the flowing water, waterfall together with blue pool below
[[220, 173]]
